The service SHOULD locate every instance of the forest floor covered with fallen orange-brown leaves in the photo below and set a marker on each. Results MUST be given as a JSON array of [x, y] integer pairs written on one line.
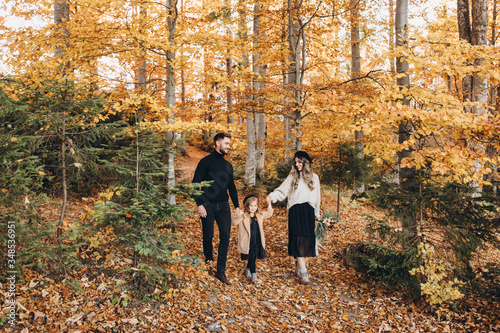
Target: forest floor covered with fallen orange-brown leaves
[[337, 300]]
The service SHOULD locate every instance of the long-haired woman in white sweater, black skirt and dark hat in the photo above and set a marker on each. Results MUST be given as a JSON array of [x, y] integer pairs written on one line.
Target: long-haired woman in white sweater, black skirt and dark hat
[[302, 189]]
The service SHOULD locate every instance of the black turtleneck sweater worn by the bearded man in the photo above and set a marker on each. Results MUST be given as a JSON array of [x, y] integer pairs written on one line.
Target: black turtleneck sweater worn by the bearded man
[[215, 167]]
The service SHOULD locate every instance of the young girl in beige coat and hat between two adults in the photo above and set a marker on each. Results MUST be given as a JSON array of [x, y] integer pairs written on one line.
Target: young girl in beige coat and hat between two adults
[[251, 240]]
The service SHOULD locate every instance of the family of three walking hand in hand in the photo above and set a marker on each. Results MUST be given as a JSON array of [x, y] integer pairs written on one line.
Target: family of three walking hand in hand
[[301, 188]]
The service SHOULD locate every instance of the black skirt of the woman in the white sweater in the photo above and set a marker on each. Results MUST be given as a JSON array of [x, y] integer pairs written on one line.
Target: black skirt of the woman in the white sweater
[[301, 225]]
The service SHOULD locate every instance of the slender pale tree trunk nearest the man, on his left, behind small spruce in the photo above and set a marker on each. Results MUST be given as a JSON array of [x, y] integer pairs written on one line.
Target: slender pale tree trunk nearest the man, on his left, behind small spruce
[[170, 93]]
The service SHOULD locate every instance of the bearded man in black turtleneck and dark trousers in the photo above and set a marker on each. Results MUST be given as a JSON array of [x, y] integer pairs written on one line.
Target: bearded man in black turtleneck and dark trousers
[[213, 204]]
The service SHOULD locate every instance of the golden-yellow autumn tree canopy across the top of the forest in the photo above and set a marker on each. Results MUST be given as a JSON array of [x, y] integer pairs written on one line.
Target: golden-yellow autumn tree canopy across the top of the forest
[[298, 50]]
